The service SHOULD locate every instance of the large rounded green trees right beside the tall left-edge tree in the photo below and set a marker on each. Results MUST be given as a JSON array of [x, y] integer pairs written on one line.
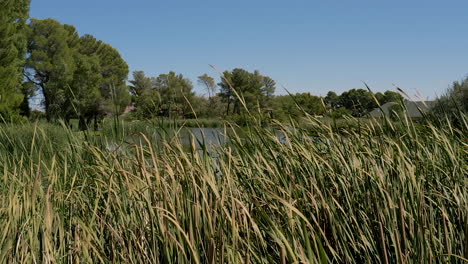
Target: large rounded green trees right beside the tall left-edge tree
[[78, 76]]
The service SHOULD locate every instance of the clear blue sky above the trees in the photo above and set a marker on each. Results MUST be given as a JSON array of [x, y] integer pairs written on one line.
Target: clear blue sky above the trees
[[306, 46]]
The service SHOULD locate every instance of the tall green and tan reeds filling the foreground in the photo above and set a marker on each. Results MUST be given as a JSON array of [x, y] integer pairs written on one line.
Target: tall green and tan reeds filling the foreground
[[382, 193]]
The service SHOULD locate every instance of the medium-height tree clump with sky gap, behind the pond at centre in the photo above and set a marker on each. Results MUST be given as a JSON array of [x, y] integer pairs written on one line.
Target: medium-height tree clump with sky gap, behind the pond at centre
[[171, 95]]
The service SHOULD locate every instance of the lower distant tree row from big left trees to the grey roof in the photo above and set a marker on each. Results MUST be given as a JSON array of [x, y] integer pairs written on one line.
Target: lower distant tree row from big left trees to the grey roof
[[239, 91]]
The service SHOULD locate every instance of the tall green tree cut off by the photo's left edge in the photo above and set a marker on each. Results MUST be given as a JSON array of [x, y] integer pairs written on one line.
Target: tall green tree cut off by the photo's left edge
[[13, 15]]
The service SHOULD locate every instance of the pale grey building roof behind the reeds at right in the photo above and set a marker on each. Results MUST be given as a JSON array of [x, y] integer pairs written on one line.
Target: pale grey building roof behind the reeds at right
[[414, 109]]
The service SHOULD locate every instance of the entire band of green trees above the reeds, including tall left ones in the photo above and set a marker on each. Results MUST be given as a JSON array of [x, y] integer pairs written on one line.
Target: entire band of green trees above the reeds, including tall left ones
[[81, 77]]
